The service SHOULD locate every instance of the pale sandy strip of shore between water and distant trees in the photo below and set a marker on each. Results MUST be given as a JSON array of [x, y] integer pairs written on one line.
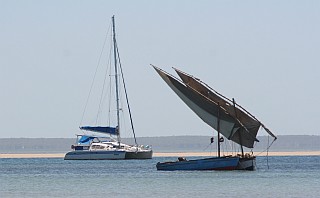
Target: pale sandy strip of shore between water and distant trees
[[172, 154]]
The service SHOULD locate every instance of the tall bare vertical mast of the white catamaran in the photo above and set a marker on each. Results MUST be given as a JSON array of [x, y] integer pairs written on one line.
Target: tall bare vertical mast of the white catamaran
[[116, 78]]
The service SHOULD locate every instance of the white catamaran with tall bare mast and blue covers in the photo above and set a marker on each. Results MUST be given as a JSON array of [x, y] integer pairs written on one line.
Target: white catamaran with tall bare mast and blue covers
[[100, 147]]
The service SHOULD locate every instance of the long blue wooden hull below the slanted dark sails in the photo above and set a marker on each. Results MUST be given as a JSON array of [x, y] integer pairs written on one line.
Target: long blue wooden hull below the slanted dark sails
[[217, 163]]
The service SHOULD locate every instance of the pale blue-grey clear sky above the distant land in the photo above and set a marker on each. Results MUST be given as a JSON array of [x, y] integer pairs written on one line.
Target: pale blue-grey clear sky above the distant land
[[265, 54]]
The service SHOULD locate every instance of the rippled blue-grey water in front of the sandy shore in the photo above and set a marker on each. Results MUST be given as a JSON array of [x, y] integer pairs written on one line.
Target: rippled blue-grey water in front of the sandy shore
[[297, 176]]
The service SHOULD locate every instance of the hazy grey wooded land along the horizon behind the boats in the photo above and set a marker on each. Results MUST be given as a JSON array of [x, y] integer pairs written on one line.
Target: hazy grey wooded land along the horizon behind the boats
[[163, 144]]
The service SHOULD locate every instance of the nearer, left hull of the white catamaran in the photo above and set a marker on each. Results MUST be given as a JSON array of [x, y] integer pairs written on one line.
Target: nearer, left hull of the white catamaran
[[95, 155]]
